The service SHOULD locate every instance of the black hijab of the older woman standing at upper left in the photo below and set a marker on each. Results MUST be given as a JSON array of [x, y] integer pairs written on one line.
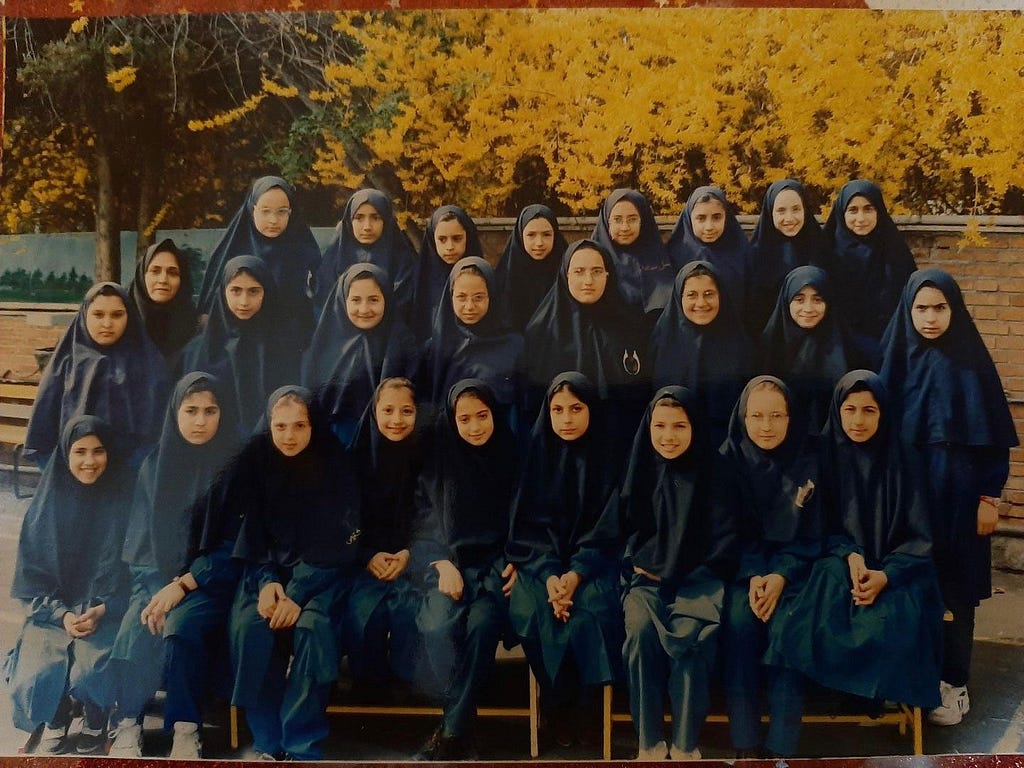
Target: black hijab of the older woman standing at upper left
[[172, 324]]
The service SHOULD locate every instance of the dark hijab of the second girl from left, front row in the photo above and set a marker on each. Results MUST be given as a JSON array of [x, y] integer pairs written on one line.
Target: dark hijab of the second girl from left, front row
[[174, 482]]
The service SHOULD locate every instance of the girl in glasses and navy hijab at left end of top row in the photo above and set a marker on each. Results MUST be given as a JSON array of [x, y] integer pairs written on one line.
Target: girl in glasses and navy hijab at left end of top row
[[269, 227]]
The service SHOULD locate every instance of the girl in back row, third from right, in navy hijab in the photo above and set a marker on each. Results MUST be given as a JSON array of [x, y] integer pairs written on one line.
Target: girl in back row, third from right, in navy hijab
[[708, 231]]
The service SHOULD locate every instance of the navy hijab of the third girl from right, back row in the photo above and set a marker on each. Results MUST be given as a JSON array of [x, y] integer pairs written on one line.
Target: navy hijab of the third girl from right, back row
[[731, 253]]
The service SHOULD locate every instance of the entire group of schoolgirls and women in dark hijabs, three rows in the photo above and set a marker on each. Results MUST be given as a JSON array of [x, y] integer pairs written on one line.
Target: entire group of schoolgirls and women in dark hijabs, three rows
[[711, 462]]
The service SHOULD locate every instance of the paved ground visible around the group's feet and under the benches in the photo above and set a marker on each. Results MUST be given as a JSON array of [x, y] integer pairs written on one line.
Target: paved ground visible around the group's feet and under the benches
[[996, 724]]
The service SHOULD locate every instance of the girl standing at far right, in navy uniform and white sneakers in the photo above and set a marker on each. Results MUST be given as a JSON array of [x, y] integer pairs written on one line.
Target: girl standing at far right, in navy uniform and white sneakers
[[953, 410]]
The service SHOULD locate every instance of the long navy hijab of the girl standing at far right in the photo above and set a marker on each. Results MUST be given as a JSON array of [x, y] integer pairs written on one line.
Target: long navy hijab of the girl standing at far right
[[946, 391]]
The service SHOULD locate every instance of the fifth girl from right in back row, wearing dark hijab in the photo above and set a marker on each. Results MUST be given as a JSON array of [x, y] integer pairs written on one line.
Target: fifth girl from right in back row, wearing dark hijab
[[530, 263]]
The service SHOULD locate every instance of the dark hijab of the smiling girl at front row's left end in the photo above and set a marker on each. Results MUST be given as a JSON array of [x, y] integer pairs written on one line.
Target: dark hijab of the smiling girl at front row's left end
[[70, 547]]
